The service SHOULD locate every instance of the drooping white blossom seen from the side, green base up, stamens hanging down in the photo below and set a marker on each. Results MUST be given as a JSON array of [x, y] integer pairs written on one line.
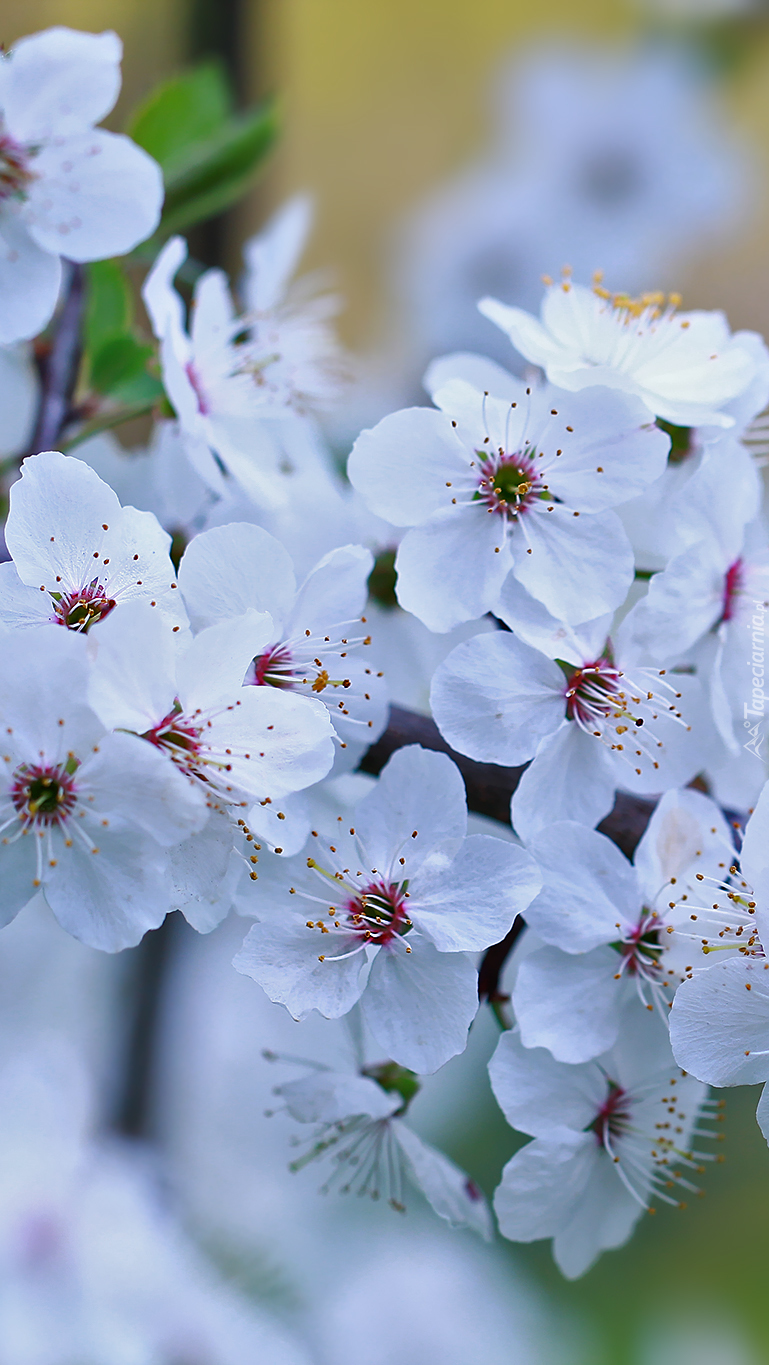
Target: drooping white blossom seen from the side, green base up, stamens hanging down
[[360, 1128]]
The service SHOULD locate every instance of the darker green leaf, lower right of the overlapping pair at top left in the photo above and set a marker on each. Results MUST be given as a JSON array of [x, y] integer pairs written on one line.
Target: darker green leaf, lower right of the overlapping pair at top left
[[215, 174]]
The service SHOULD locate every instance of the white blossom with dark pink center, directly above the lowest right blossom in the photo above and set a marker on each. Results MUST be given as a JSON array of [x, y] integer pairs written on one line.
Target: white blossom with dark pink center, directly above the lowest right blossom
[[615, 933]]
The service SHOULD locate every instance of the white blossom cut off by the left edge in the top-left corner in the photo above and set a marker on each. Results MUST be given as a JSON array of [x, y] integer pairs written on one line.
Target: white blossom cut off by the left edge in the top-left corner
[[66, 188]]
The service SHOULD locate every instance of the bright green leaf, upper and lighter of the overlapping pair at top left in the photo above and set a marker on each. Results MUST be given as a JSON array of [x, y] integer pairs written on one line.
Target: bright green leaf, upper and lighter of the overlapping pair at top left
[[182, 113]]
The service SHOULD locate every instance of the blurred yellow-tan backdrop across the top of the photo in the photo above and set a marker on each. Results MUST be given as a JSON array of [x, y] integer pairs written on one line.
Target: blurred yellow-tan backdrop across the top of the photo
[[384, 99]]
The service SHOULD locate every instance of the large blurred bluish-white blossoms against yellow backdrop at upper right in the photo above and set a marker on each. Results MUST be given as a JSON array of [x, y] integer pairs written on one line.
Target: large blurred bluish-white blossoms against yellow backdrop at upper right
[[598, 158]]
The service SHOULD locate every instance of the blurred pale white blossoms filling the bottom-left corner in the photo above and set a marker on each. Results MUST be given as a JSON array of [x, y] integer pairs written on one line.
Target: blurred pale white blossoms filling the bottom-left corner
[[94, 1263]]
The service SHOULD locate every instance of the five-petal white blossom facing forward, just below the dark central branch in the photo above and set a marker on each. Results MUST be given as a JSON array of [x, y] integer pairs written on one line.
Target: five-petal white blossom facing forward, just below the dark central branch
[[395, 904]]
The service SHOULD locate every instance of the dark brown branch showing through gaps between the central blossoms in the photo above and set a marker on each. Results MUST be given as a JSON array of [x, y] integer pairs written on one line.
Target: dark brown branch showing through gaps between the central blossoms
[[490, 791]]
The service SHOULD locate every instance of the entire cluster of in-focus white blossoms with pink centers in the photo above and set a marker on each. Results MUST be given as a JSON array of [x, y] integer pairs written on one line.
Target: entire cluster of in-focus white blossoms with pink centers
[[184, 734]]
